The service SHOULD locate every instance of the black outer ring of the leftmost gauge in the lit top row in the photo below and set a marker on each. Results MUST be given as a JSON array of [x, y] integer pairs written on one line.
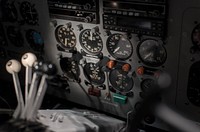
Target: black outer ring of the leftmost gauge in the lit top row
[[58, 39]]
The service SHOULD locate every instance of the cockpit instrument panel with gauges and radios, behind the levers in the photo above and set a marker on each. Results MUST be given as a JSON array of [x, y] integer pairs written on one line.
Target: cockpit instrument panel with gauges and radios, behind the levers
[[108, 51]]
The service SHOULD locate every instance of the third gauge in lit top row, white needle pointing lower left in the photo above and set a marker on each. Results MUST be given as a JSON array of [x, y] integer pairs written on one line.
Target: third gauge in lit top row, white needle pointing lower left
[[119, 46]]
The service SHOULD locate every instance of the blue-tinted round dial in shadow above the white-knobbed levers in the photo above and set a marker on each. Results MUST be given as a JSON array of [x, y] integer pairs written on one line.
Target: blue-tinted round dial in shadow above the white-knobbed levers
[[34, 39]]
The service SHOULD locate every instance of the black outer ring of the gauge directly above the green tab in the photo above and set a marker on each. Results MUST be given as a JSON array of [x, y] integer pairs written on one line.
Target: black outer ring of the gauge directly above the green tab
[[118, 89]]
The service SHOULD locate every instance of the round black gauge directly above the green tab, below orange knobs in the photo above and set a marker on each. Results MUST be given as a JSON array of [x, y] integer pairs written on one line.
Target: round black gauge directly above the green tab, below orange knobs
[[120, 81]]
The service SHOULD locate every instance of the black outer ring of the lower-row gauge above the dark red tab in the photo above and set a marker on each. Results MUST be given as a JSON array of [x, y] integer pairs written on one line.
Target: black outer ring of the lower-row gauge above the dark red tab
[[103, 78]]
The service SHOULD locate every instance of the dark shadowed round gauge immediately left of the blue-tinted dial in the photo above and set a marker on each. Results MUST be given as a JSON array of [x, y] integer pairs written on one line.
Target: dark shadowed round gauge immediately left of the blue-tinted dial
[[15, 36]]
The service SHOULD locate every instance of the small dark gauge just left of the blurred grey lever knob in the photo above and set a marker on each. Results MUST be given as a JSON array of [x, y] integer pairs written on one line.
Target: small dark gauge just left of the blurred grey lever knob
[[147, 84]]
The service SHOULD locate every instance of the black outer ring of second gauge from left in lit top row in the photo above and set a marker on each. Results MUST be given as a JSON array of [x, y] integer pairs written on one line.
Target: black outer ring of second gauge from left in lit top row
[[85, 49]]
